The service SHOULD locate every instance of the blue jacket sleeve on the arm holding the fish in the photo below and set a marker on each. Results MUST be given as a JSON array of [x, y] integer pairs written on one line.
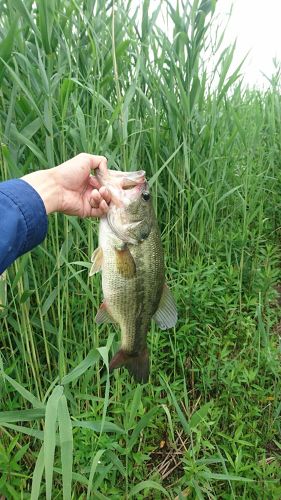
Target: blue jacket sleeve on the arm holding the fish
[[23, 220]]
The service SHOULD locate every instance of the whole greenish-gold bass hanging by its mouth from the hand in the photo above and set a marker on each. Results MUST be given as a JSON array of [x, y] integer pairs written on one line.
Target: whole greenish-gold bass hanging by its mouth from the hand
[[131, 260]]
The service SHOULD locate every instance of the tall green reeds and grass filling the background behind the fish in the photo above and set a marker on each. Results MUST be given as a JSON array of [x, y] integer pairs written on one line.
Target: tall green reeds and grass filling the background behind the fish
[[86, 76]]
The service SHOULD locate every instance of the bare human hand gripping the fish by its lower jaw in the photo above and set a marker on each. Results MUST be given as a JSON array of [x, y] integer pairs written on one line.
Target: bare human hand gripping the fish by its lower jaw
[[70, 188]]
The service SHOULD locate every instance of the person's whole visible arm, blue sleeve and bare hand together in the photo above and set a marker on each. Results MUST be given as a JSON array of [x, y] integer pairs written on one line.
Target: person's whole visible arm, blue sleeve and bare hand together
[[24, 203]]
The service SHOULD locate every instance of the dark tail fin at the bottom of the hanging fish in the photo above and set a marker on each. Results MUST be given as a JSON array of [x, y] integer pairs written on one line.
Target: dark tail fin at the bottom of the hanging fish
[[137, 364]]
